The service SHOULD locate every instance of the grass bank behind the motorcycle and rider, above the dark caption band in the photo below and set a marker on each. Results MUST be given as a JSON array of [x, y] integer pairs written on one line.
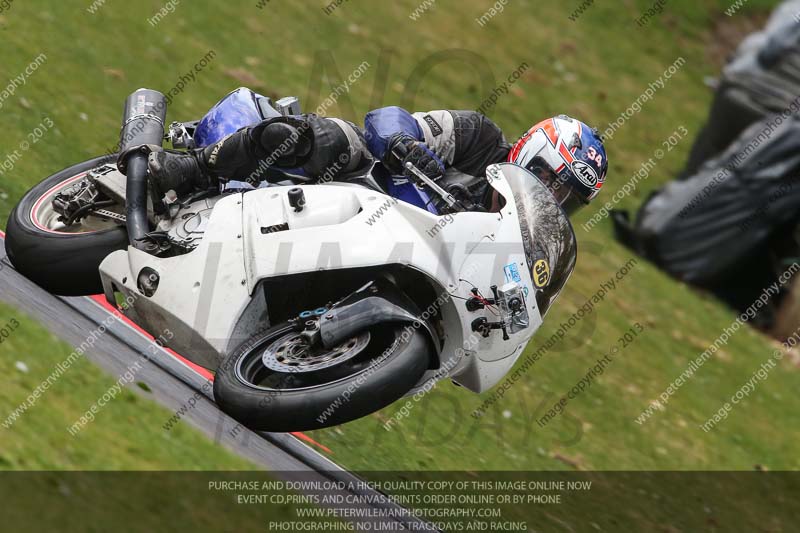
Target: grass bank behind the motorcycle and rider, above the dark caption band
[[593, 68]]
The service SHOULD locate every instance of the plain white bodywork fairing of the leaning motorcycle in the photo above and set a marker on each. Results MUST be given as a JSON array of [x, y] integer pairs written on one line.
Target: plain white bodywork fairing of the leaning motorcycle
[[211, 298]]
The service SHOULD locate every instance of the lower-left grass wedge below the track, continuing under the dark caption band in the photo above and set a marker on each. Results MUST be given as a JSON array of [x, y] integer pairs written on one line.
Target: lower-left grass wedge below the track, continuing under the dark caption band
[[127, 435]]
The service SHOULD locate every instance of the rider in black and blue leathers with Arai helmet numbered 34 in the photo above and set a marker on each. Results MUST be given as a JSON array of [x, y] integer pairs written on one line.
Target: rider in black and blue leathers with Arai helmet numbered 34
[[566, 154]]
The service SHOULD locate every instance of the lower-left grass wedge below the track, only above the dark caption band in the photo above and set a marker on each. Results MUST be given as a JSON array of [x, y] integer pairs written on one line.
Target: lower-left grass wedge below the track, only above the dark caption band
[[127, 433]]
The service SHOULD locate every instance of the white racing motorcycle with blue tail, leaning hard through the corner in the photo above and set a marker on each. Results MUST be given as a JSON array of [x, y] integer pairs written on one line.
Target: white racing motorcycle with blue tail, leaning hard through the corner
[[315, 304]]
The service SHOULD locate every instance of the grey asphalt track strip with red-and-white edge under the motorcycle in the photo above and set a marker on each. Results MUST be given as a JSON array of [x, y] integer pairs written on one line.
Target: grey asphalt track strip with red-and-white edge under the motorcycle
[[174, 382]]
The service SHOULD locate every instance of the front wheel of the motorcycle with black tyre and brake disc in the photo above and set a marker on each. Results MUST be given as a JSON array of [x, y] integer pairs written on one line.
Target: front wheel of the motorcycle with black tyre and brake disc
[[306, 392]]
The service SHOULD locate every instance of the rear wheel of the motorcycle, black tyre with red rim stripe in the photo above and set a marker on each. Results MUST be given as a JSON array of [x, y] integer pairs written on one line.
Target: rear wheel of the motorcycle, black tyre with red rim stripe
[[62, 260]]
